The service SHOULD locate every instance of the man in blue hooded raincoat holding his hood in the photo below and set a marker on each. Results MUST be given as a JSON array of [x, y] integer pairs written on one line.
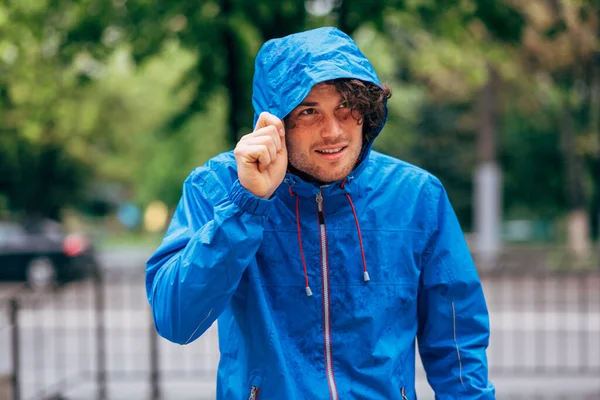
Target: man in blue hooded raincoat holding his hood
[[322, 259]]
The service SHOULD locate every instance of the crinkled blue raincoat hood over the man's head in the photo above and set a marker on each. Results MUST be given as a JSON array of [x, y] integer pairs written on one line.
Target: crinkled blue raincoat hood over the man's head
[[287, 68]]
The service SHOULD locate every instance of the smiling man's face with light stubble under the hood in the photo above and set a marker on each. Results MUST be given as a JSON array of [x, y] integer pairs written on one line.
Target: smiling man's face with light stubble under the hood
[[323, 138]]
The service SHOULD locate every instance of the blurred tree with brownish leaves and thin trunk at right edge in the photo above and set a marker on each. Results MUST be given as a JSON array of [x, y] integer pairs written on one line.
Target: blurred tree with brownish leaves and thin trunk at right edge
[[561, 47]]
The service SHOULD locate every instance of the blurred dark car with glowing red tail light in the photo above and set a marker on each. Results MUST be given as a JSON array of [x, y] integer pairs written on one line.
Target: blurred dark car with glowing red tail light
[[42, 255]]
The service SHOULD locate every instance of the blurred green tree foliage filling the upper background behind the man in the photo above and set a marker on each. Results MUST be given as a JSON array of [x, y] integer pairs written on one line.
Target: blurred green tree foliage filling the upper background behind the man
[[136, 93]]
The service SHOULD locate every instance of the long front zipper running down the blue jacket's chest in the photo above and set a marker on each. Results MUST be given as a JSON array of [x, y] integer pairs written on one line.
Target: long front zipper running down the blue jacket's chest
[[326, 319]]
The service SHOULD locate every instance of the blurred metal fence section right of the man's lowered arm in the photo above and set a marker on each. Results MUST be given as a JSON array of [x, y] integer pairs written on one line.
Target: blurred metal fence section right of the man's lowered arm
[[544, 323]]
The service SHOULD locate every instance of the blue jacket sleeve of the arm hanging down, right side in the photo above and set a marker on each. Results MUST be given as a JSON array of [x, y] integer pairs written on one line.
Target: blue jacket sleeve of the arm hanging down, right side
[[453, 331]]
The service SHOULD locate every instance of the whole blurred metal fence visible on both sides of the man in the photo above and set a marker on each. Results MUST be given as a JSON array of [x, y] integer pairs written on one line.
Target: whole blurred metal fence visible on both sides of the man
[[96, 340]]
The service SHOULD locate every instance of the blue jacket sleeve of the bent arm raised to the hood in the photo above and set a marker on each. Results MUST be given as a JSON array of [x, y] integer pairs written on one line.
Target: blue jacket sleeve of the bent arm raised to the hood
[[213, 236]]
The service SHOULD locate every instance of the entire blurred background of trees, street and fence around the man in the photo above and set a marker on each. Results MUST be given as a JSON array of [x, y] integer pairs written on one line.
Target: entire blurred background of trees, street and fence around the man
[[107, 105]]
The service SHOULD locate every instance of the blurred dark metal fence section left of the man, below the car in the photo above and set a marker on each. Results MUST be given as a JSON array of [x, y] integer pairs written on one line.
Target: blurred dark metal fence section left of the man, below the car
[[94, 340]]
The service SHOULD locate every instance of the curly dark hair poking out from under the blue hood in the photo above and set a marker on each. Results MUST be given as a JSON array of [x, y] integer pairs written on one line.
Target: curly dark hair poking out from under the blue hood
[[365, 99]]
